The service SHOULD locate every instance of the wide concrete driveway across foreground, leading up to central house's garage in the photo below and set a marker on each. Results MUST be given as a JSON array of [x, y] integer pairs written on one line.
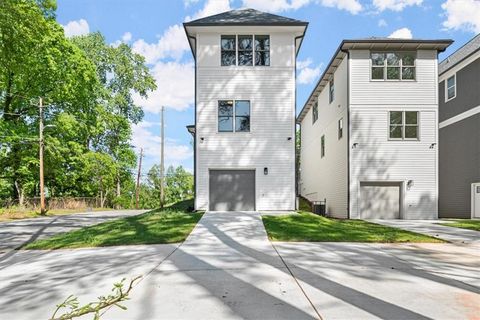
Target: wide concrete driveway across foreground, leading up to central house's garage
[[227, 269]]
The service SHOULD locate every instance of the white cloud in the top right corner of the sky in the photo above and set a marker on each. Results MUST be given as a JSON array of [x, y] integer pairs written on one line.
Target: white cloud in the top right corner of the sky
[[462, 15]]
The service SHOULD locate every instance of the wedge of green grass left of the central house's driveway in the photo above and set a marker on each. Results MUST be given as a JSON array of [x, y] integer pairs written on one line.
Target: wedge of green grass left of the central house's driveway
[[173, 224]]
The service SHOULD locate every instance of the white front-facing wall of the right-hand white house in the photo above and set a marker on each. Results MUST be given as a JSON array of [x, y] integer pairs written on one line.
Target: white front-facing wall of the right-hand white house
[[375, 157]]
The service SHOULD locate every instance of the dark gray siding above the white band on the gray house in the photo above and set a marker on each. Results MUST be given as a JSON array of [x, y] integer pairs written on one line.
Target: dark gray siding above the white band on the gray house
[[468, 92]]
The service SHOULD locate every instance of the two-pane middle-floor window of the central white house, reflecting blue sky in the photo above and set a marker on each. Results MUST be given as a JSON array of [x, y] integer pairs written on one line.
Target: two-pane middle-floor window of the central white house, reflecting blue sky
[[233, 116]]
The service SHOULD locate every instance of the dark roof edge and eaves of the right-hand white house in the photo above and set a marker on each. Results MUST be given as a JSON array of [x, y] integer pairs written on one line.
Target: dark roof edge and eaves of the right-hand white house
[[373, 43]]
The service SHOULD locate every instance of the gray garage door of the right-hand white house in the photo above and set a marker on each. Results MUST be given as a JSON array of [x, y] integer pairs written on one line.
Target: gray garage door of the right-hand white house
[[380, 200]]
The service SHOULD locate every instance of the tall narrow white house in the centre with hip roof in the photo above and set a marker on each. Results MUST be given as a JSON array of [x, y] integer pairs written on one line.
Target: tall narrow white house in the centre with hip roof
[[244, 132]]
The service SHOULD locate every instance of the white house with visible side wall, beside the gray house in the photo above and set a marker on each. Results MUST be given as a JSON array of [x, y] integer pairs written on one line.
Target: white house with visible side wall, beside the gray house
[[369, 131]]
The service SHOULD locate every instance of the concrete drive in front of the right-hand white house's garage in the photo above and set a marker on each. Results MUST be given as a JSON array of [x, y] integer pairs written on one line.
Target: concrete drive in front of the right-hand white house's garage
[[435, 228]]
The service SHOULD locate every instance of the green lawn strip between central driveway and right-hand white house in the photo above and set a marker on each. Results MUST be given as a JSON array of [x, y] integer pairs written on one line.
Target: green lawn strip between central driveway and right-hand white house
[[306, 226]]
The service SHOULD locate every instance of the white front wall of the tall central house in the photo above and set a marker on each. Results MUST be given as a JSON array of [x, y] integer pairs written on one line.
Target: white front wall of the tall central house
[[271, 91]]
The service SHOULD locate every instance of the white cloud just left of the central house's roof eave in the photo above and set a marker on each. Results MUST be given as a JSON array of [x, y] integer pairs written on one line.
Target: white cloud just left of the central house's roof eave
[[172, 44]]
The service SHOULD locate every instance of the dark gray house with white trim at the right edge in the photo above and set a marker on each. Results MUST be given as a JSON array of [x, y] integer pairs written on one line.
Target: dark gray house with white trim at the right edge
[[459, 137]]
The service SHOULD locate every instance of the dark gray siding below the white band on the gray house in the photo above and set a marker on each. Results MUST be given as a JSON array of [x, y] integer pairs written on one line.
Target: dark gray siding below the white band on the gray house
[[459, 166]]
